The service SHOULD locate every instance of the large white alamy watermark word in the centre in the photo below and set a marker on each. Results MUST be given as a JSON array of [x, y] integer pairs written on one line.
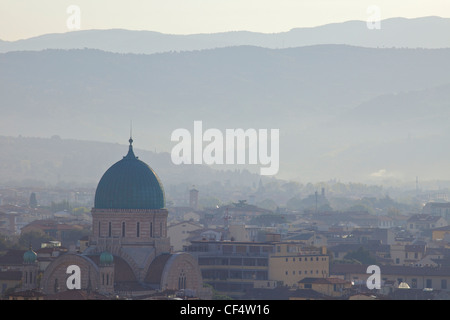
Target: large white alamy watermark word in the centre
[[231, 148]]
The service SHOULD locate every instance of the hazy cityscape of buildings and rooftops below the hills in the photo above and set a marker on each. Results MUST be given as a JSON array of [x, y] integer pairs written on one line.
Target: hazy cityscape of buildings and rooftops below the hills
[[237, 250]]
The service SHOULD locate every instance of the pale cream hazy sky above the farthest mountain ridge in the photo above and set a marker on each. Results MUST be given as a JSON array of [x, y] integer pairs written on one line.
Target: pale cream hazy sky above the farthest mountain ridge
[[21, 19]]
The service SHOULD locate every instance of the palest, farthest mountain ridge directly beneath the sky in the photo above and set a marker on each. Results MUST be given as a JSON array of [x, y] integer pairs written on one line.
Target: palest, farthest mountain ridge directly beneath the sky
[[425, 32]]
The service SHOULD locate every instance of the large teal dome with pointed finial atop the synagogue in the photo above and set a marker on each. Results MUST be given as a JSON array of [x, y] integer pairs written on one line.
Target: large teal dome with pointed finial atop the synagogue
[[129, 184]]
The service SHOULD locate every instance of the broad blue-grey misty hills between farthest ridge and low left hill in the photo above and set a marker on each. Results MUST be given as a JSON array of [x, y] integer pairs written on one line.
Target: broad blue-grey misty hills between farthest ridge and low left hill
[[343, 112]]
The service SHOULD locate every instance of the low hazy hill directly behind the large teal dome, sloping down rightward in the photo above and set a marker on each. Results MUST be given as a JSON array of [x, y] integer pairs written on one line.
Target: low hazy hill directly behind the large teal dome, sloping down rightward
[[71, 163]]
